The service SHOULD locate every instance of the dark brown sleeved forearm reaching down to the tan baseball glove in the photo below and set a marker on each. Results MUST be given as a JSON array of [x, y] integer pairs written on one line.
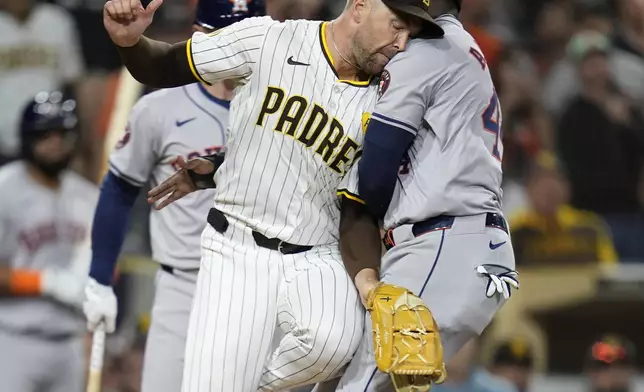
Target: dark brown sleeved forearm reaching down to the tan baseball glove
[[359, 241]]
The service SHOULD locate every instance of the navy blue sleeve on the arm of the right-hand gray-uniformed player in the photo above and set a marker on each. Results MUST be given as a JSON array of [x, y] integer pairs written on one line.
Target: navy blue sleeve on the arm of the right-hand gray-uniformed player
[[385, 146]]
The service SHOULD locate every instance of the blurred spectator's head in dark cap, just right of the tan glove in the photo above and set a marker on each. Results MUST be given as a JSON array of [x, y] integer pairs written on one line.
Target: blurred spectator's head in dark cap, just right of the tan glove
[[513, 361]]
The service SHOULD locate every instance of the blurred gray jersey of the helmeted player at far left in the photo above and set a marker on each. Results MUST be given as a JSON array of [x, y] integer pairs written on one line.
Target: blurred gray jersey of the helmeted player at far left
[[42, 228]]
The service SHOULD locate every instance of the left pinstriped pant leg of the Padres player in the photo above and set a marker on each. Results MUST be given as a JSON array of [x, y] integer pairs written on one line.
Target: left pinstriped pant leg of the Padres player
[[233, 317]]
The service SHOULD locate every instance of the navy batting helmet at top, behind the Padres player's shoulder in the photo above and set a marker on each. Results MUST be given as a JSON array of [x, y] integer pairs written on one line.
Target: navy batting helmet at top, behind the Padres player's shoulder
[[217, 14]]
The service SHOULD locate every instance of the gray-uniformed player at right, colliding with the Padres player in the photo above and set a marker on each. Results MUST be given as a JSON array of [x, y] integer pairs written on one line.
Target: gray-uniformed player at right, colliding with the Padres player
[[431, 170]]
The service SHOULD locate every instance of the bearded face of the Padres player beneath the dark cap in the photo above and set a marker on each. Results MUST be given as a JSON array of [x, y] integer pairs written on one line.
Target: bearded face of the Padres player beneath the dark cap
[[380, 37]]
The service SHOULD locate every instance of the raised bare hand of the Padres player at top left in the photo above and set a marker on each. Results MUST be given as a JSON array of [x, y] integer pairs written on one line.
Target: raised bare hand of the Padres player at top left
[[126, 20]]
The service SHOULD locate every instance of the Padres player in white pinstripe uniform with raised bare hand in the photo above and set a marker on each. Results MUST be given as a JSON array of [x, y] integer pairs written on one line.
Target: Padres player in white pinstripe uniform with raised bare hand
[[274, 307]]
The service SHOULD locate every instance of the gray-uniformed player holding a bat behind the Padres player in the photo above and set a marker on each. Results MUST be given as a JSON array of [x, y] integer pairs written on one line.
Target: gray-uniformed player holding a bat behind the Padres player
[[186, 121]]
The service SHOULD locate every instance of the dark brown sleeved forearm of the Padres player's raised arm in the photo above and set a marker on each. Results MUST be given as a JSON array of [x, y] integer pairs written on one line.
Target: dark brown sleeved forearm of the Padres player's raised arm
[[158, 64]]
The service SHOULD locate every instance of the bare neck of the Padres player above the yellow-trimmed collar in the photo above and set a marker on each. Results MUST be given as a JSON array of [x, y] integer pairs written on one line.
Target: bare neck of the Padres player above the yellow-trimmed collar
[[338, 42]]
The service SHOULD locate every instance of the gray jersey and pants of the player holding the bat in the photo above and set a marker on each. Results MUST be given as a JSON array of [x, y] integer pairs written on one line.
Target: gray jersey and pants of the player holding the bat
[[190, 122]]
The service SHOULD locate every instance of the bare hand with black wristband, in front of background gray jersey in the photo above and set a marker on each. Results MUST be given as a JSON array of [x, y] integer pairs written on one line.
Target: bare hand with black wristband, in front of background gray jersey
[[179, 184]]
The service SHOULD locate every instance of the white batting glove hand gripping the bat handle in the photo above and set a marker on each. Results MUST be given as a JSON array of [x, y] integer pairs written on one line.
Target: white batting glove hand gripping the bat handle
[[99, 305]]
